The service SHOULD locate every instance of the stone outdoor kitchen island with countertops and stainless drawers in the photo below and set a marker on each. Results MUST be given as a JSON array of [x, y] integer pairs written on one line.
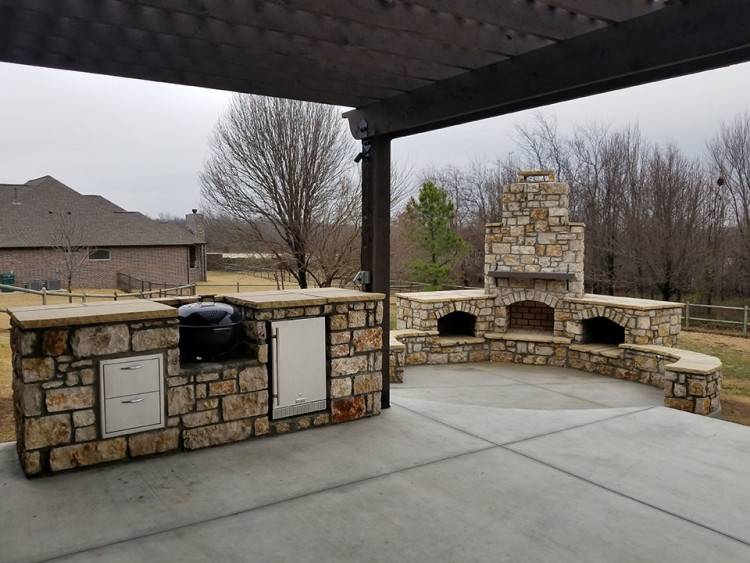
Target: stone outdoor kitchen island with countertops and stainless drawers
[[74, 363]]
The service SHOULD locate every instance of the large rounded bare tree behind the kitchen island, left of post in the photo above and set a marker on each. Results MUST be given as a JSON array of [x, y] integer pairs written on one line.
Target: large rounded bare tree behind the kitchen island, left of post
[[283, 164]]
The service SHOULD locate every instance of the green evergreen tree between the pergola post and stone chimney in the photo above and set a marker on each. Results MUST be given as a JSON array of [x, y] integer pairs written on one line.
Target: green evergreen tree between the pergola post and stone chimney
[[432, 216]]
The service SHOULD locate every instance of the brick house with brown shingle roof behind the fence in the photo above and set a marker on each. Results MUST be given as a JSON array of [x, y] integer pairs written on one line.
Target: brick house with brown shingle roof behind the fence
[[44, 223]]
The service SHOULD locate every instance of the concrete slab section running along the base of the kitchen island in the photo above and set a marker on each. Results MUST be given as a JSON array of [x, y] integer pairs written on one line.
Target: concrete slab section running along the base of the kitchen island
[[131, 499]]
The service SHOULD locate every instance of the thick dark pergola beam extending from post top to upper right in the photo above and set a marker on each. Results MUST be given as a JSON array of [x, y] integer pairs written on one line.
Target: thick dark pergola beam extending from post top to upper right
[[680, 39]]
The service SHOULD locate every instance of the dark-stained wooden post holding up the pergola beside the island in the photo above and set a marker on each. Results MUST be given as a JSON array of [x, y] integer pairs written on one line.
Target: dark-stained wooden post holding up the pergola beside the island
[[376, 234]]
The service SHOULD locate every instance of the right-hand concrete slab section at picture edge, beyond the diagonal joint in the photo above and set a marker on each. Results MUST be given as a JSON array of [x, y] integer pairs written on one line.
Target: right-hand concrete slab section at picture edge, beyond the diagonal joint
[[686, 464]]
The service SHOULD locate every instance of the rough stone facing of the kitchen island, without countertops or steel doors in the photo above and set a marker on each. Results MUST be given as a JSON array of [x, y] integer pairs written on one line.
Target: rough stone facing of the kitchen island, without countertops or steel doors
[[56, 379]]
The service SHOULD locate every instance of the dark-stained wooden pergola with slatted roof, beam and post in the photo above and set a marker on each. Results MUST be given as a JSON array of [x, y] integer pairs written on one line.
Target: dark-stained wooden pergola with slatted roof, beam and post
[[406, 66]]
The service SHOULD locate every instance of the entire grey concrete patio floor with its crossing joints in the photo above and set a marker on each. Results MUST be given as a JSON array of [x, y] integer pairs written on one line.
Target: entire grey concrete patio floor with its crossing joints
[[425, 481]]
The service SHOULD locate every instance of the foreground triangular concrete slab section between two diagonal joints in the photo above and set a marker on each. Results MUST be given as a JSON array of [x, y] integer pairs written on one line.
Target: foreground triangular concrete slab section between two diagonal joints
[[488, 506]]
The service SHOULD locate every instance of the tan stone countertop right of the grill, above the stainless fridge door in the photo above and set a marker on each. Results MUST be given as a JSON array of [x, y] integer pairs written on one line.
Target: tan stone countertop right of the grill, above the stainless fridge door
[[298, 297]]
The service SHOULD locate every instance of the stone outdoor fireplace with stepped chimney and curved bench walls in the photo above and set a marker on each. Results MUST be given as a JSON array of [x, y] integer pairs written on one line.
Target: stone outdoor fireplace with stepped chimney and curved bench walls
[[533, 309]]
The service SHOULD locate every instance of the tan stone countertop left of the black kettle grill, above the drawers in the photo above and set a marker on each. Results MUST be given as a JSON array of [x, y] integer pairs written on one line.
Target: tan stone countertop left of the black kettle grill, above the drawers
[[77, 314]]
